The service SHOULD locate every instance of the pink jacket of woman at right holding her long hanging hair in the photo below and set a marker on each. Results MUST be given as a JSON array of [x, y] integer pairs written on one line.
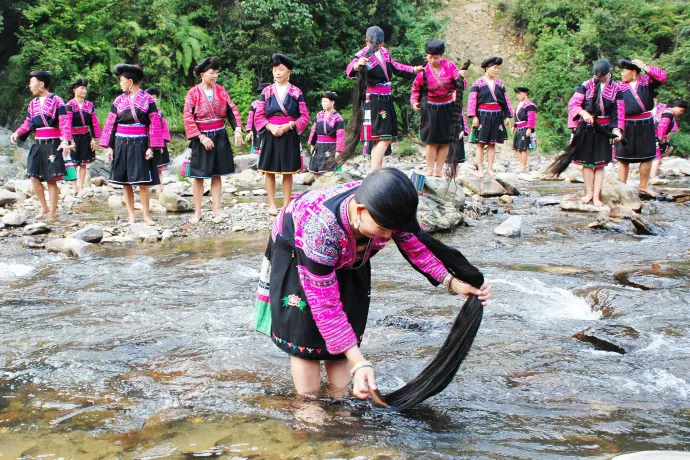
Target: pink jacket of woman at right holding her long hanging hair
[[613, 107]]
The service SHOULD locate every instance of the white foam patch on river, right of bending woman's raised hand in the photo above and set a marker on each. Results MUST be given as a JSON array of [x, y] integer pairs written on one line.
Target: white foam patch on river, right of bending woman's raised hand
[[551, 301]]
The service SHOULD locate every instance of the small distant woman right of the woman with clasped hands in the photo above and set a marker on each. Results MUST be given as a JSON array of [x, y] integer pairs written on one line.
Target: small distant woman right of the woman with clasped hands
[[327, 136]]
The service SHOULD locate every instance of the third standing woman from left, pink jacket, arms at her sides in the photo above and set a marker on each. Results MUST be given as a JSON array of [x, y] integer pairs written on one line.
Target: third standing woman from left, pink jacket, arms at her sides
[[131, 133]]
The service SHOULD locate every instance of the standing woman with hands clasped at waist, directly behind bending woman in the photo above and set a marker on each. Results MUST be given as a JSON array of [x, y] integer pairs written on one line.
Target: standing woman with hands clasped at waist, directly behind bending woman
[[281, 117]]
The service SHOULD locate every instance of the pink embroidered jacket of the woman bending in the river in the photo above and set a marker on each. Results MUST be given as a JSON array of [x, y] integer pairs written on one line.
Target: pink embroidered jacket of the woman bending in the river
[[330, 246]]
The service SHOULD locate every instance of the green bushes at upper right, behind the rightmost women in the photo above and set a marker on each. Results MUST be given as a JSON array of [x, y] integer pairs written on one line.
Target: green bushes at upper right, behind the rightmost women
[[567, 36]]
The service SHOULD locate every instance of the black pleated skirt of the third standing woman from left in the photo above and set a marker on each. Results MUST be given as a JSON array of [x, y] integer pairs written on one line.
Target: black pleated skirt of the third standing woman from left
[[130, 166]]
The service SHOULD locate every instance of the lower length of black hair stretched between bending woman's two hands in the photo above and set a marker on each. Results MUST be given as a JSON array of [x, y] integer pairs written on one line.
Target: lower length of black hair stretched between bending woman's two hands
[[442, 369]]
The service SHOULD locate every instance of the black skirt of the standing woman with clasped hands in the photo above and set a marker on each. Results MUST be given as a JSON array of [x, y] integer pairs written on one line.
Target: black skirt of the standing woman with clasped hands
[[280, 155]]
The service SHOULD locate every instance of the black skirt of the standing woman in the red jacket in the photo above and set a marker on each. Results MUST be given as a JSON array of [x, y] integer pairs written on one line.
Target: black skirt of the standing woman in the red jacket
[[219, 161]]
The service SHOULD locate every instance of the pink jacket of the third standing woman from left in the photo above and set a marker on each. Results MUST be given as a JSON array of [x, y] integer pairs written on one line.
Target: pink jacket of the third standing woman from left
[[138, 110]]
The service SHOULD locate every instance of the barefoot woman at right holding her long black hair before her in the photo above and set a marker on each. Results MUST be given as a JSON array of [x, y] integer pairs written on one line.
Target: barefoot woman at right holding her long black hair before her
[[595, 101]]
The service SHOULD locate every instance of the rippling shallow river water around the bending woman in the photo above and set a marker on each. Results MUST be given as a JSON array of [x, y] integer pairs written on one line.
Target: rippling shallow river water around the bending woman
[[148, 352]]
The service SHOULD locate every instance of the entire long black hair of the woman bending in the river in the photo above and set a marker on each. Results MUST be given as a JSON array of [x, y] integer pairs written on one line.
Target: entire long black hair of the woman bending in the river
[[392, 200]]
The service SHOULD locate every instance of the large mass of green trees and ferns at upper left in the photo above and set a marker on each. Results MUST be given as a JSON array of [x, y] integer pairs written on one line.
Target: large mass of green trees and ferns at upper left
[[85, 38]]
